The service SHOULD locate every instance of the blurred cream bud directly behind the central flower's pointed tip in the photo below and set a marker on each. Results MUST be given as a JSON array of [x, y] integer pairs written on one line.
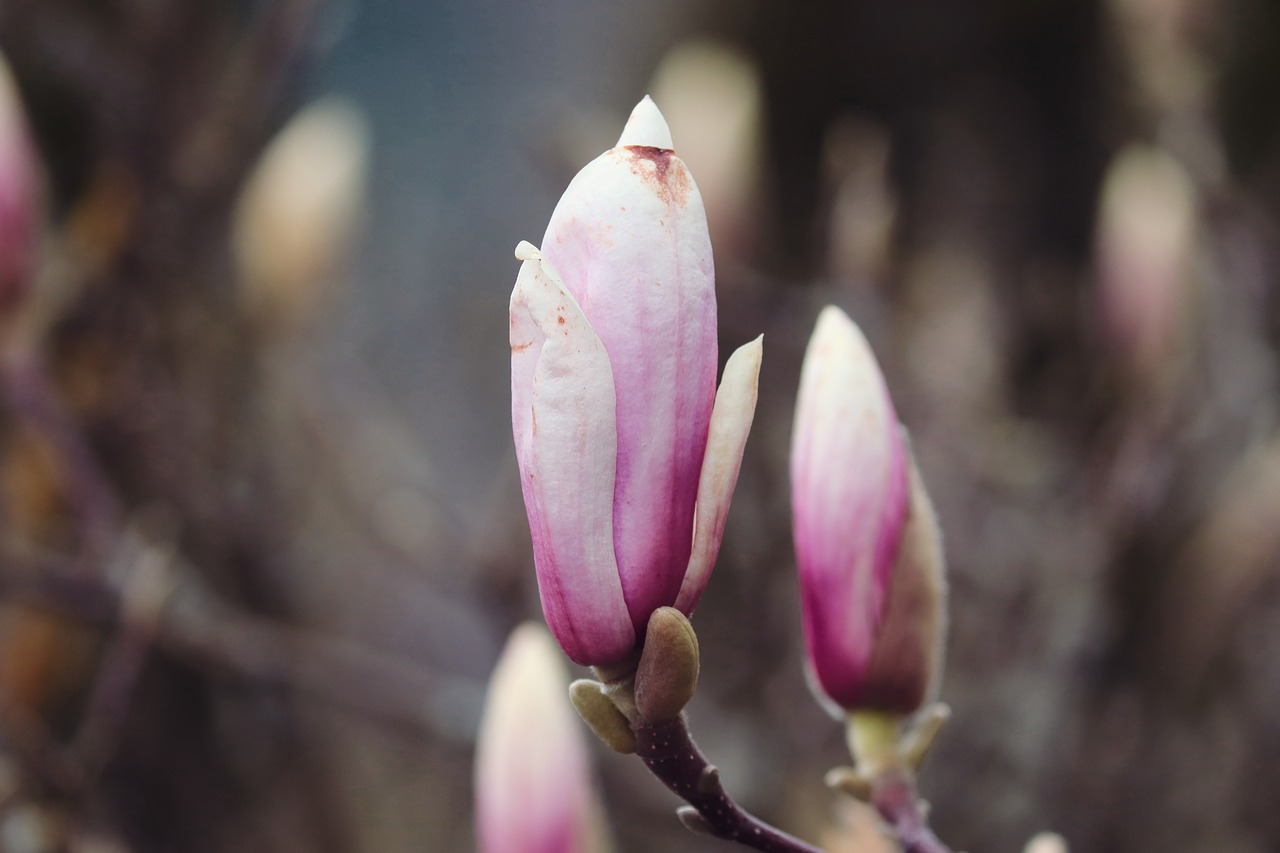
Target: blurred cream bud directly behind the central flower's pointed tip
[[711, 94]]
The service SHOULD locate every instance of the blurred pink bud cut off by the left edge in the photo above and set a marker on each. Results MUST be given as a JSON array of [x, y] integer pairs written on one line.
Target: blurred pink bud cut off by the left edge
[[20, 200]]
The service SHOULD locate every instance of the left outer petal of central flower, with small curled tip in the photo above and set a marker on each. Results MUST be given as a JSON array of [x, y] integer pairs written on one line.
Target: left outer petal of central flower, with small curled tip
[[563, 412]]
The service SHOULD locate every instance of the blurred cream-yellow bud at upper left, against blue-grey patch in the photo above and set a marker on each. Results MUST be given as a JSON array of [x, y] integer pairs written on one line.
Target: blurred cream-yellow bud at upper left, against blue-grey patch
[[299, 215]]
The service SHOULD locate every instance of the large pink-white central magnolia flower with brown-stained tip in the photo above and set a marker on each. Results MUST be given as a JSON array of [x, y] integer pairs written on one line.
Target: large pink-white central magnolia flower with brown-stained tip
[[627, 469]]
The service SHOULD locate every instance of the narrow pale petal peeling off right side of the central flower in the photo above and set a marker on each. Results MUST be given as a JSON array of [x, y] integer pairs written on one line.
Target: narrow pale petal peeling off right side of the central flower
[[732, 423]]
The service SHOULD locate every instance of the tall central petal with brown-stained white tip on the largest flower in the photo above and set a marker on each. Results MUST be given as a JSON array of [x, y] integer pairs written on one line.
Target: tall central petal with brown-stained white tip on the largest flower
[[630, 239]]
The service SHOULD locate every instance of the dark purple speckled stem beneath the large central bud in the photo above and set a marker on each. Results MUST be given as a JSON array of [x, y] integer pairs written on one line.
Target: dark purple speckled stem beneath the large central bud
[[671, 755]]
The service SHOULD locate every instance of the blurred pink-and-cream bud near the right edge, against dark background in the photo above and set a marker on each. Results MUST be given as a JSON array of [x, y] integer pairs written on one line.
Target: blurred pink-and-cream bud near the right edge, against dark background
[[1146, 241]]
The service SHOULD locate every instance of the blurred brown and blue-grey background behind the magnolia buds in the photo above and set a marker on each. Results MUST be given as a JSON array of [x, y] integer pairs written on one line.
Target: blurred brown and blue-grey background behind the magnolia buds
[[263, 533]]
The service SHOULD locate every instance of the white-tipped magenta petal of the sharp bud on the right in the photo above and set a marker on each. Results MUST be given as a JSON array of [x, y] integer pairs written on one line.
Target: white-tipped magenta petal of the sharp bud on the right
[[849, 491]]
